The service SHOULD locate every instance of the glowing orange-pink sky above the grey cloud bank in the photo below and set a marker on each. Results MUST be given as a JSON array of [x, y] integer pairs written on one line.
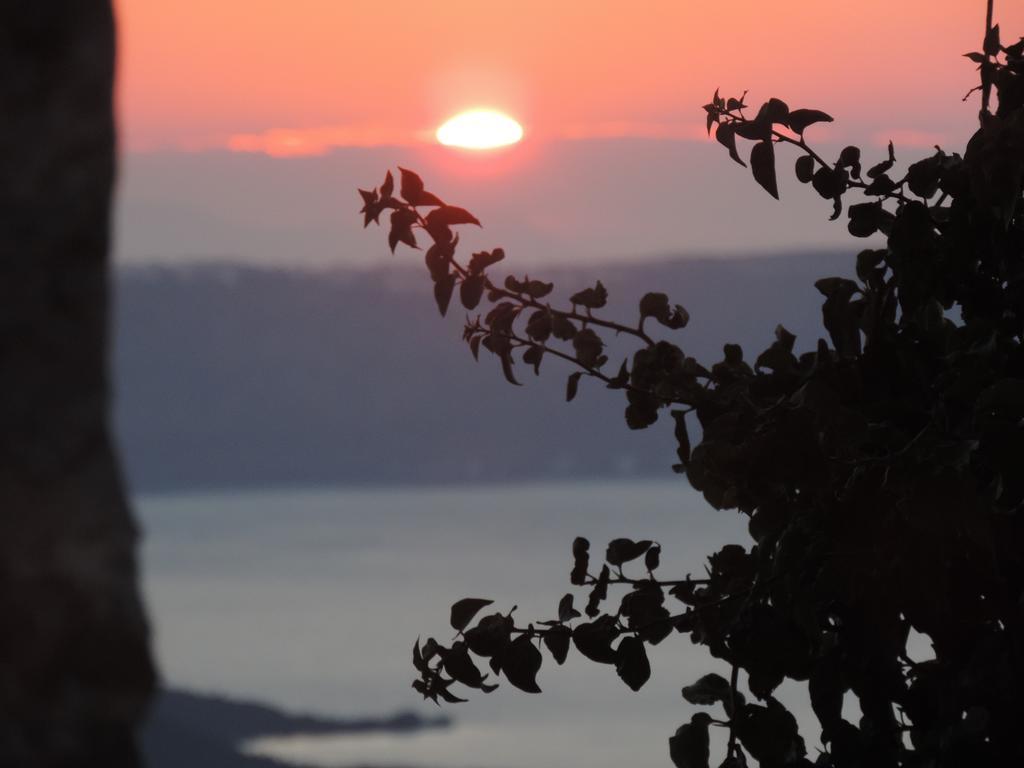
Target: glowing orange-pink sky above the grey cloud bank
[[254, 74]]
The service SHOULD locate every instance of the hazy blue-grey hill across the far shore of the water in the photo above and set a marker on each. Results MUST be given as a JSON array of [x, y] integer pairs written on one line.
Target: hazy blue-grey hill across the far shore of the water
[[231, 376]]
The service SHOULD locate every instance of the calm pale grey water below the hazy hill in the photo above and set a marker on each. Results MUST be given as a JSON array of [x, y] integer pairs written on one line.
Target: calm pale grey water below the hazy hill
[[312, 601]]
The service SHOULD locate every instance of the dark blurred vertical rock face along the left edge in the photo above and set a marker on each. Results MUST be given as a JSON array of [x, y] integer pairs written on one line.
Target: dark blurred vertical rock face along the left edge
[[75, 666]]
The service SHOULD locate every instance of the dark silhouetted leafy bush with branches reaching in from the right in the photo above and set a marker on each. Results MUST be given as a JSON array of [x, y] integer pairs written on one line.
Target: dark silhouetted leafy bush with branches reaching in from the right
[[880, 473]]
